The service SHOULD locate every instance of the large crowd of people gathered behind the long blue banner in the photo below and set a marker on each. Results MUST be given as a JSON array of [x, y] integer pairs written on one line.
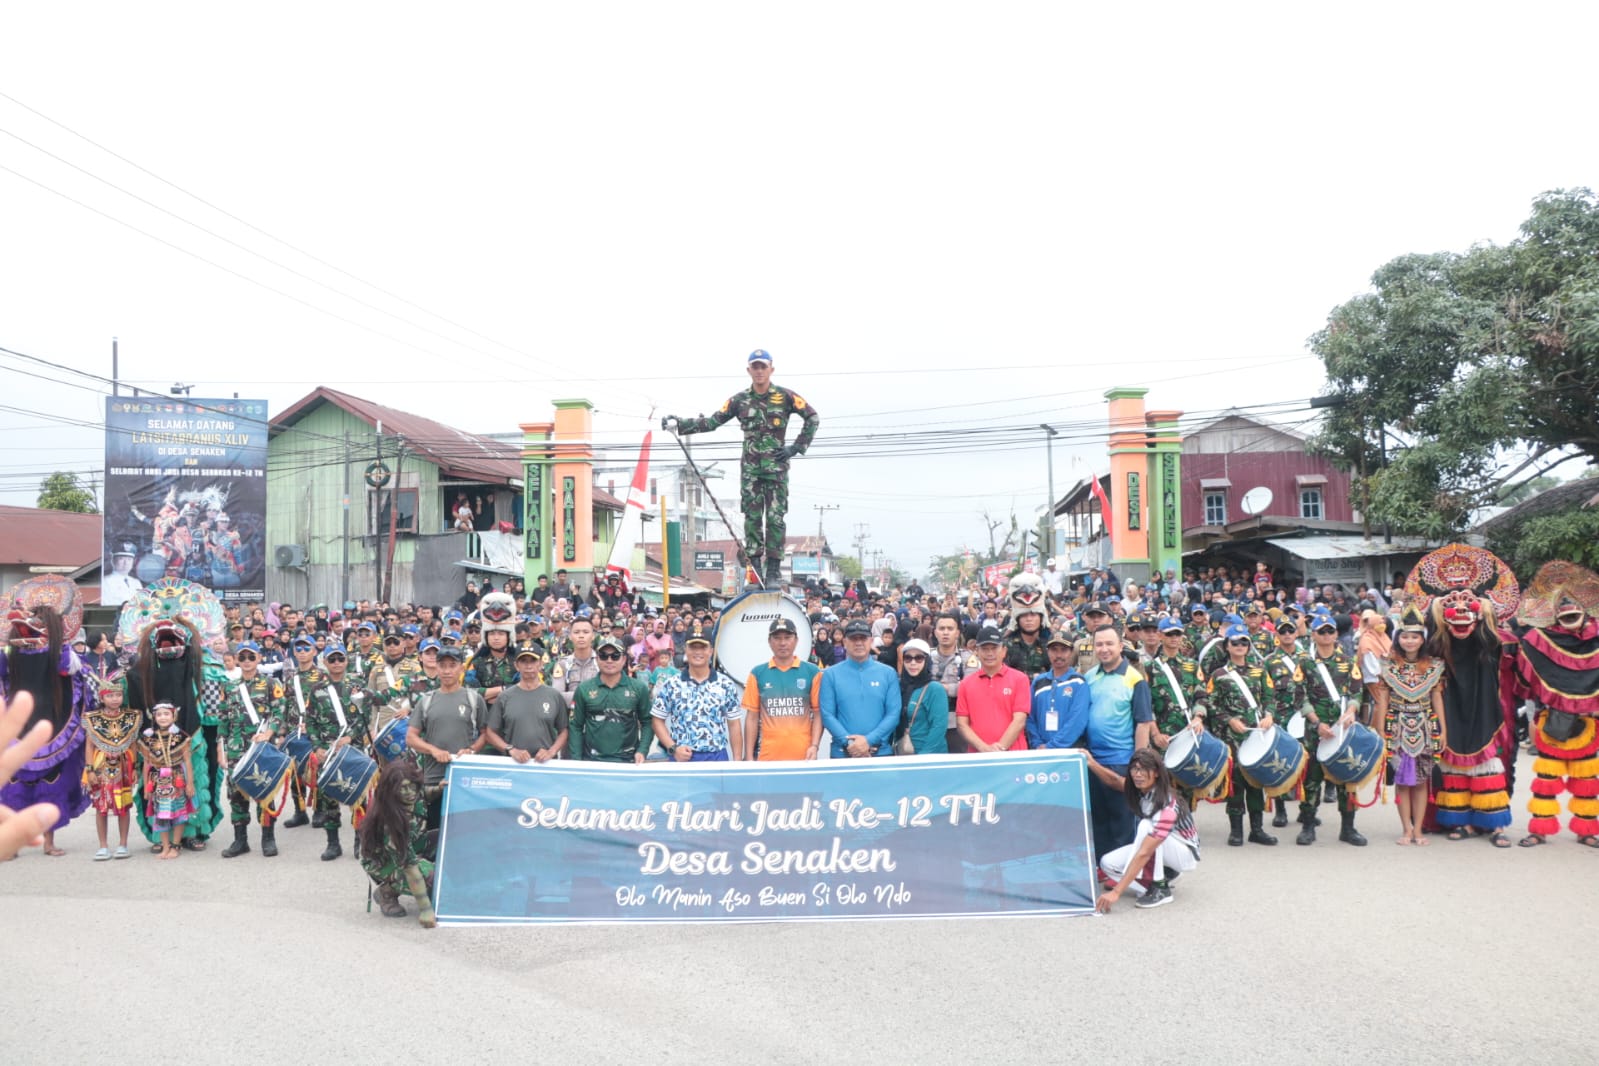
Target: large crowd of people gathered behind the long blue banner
[[1096, 666]]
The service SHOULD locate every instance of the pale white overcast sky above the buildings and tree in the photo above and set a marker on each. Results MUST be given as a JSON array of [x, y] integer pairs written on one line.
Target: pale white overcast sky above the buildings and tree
[[933, 217]]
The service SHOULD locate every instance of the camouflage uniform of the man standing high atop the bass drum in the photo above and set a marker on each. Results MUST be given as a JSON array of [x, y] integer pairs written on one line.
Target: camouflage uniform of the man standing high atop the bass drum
[[764, 483]]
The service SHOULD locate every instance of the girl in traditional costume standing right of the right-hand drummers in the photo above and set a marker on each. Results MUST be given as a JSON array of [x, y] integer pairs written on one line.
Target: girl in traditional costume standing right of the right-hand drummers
[[1410, 704]]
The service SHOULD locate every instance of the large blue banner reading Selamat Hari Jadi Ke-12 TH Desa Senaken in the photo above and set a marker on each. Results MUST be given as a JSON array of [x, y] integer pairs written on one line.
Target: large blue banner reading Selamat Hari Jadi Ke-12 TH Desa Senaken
[[927, 837]]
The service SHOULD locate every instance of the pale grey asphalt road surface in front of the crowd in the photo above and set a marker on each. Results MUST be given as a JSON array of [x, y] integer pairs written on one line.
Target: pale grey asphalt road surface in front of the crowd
[[1309, 955]]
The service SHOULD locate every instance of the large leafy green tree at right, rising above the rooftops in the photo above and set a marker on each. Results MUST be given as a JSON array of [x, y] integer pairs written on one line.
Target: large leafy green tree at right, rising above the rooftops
[[1464, 376]]
